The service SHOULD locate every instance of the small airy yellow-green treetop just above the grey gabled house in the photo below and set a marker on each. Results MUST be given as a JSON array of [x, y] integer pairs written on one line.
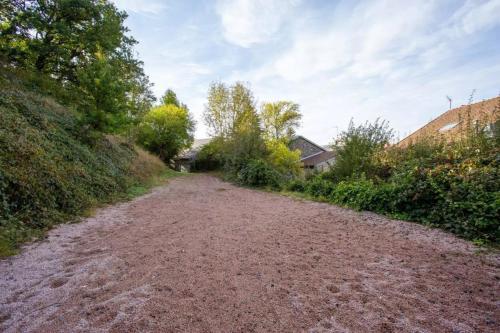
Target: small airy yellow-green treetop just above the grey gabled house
[[280, 119]]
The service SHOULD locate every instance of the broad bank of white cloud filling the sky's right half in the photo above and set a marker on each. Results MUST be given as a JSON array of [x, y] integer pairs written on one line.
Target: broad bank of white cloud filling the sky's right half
[[387, 59]]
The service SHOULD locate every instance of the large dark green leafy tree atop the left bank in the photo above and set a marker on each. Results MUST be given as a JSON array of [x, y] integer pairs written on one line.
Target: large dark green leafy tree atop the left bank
[[81, 45]]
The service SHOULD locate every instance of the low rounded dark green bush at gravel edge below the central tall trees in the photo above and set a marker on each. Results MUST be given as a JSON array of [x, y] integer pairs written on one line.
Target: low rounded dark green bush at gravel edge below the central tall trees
[[259, 173]]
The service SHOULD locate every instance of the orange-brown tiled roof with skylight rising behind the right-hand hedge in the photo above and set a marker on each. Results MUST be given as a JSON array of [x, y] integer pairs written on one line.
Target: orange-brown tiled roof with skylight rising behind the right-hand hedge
[[452, 124]]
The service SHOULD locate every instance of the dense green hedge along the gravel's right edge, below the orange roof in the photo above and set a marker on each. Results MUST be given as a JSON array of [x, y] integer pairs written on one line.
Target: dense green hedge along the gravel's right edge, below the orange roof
[[453, 186]]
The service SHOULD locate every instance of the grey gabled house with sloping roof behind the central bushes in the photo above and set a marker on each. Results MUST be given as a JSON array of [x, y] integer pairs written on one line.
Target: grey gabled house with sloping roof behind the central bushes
[[313, 156]]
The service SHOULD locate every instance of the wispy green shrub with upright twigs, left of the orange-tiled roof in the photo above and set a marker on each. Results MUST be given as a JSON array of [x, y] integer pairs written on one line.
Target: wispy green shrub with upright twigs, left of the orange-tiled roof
[[356, 146]]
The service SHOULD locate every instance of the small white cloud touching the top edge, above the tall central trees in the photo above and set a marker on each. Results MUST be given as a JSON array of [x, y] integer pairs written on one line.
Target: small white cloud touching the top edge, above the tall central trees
[[249, 22]]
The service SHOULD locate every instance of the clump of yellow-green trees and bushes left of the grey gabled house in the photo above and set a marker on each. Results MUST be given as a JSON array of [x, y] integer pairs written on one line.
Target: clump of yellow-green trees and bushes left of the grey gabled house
[[239, 146]]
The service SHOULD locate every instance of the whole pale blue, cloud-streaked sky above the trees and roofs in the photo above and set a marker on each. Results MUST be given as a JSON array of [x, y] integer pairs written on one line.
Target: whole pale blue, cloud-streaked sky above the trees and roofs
[[339, 60]]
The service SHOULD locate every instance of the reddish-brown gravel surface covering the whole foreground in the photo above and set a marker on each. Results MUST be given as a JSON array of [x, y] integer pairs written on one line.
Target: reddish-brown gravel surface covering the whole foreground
[[201, 255]]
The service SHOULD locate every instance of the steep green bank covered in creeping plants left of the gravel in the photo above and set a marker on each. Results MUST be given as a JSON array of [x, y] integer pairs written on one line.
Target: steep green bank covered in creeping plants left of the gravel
[[49, 175]]
